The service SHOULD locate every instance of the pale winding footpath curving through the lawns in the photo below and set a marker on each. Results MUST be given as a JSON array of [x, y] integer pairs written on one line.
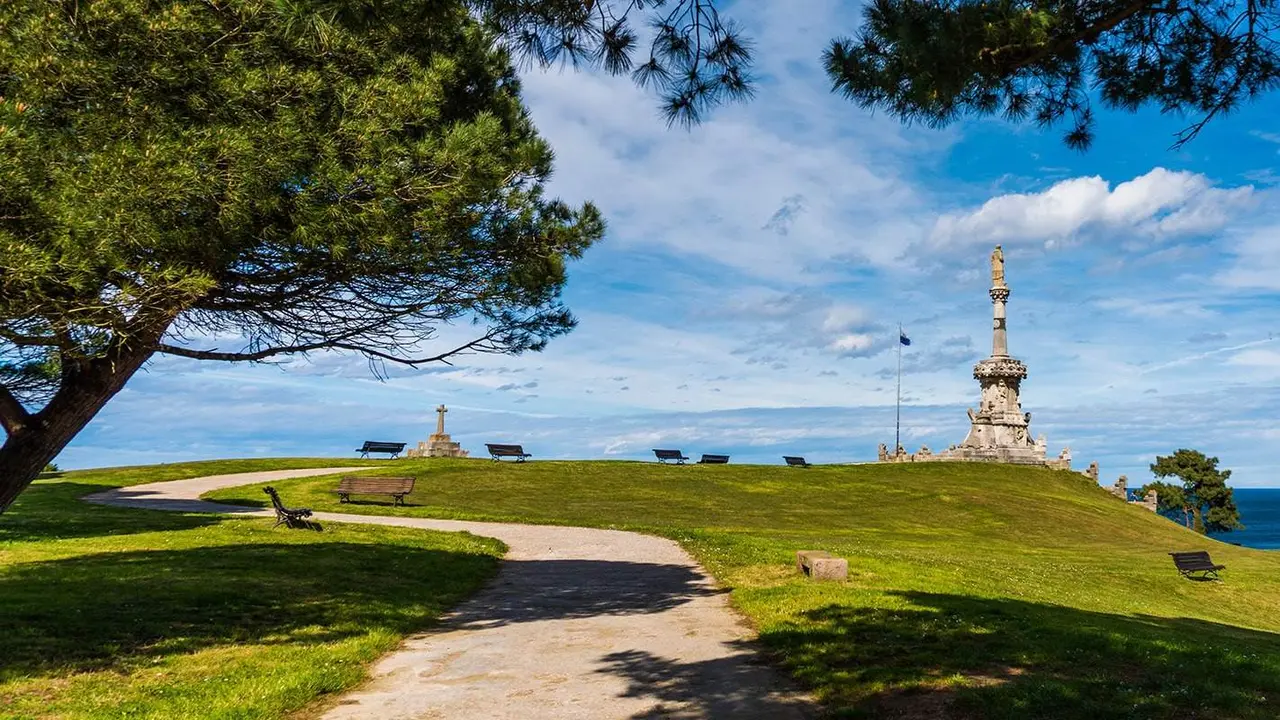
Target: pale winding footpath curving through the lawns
[[579, 625]]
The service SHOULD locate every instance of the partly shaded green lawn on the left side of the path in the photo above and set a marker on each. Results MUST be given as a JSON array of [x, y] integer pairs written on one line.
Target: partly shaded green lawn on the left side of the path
[[112, 613]]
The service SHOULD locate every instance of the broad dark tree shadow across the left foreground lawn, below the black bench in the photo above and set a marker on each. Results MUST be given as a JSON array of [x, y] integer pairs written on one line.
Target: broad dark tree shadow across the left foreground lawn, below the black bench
[[121, 609]]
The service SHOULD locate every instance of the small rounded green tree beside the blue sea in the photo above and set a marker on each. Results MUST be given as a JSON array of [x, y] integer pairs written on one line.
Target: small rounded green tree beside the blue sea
[[1203, 496]]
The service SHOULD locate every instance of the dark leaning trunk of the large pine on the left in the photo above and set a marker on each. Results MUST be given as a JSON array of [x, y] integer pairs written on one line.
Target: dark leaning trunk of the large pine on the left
[[83, 394]]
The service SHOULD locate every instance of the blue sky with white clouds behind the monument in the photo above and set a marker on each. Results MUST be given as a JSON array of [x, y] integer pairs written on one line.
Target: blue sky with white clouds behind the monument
[[748, 295]]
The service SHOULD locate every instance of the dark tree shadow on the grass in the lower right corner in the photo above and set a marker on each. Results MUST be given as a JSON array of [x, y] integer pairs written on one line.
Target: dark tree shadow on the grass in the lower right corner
[[954, 657]]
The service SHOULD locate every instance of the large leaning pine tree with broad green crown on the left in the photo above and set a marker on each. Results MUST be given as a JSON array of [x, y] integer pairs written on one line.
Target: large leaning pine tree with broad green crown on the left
[[285, 176]]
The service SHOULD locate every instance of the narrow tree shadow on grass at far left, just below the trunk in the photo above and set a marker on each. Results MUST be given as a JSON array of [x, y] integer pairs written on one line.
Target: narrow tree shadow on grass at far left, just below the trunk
[[56, 511]]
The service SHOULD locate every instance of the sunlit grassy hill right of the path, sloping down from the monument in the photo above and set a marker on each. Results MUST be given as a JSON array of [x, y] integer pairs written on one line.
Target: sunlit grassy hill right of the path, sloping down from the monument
[[976, 591]]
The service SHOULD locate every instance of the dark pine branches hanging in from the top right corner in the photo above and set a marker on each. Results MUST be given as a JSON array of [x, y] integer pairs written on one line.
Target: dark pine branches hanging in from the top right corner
[[938, 61]]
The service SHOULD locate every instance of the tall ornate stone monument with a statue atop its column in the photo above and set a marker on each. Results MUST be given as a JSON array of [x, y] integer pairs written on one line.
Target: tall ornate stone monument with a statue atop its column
[[999, 431]]
